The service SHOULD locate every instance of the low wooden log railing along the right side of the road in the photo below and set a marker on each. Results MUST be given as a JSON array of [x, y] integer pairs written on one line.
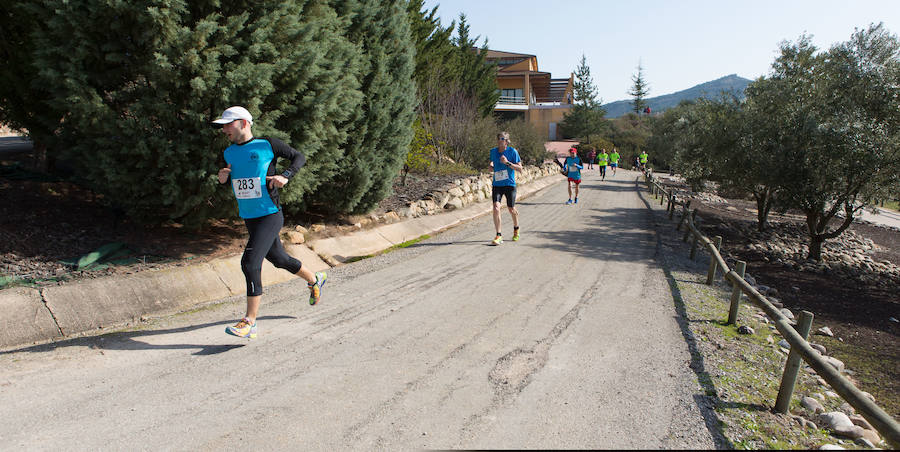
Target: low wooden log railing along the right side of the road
[[796, 337]]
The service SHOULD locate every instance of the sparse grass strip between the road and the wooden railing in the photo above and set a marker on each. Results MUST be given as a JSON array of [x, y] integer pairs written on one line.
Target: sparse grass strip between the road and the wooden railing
[[742, 373]]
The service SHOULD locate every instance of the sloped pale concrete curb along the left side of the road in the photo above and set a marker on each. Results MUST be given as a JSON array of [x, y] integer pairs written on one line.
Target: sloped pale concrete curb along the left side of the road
[[32, 316]]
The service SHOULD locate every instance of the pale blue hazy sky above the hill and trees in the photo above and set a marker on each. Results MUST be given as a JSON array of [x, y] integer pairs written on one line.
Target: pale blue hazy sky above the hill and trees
[[679, 43]]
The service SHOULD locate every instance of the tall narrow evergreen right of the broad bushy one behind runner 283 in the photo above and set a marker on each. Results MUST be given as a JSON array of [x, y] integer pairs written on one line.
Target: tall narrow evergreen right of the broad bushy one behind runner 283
[[377, 146]]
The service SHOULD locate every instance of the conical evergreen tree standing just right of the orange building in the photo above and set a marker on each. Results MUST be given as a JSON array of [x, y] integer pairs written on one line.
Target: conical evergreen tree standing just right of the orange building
[[586, 116]]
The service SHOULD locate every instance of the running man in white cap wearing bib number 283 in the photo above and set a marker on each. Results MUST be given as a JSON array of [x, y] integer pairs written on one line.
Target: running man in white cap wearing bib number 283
[[251, 169]]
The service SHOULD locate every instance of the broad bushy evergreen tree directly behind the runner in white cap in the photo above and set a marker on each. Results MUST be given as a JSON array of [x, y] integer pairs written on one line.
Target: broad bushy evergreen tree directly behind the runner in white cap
[[139, 83]]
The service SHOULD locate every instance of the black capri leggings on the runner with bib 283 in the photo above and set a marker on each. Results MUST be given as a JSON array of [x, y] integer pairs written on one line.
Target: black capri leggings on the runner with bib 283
[[264, 243]]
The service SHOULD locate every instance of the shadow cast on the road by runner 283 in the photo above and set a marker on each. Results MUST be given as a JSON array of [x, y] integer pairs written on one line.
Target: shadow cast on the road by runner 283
[[127, 340]]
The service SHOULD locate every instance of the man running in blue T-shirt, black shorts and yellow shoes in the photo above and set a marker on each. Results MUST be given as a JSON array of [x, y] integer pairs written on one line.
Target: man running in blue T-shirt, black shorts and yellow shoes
[[505, 161]]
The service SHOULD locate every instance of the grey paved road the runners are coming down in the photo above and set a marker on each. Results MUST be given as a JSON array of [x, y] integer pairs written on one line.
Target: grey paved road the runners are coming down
[[566, 339]]
